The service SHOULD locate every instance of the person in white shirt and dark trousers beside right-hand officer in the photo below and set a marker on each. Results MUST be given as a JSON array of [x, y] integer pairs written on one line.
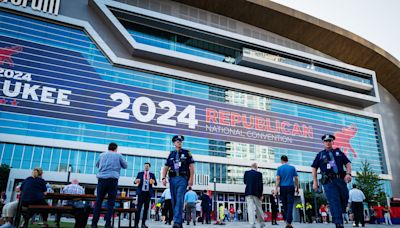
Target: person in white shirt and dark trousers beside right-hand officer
[[356, 198]]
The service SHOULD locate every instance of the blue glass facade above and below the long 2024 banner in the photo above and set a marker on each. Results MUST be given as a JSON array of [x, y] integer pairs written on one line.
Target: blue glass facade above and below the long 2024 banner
[[366, 142]]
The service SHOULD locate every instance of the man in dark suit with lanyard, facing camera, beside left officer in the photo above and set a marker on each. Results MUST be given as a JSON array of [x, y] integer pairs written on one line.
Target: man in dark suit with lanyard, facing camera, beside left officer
[[145, 181]]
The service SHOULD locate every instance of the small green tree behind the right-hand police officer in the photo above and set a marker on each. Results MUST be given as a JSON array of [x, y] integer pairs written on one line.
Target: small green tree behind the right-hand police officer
[[369, 183]]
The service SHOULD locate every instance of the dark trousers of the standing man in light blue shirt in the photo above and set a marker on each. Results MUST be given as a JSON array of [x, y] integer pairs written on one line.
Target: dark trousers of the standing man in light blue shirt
[[105, 186]]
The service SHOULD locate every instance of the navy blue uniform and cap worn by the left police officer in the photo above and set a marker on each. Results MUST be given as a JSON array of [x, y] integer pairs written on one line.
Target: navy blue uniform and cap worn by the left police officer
[[179, 173]]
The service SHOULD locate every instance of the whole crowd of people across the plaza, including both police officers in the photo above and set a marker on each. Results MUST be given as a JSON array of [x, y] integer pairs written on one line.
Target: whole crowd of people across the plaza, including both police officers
[[179, 203]]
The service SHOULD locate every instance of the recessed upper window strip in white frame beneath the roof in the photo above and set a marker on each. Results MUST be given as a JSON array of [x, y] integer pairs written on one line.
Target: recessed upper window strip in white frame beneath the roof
[[179, 43]]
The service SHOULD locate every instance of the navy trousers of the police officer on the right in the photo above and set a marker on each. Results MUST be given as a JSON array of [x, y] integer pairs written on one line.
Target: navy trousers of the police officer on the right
[[337, 194]]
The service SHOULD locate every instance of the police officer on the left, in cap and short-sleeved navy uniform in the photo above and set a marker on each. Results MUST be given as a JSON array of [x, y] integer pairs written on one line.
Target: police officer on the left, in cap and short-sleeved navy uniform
[[180, 168]]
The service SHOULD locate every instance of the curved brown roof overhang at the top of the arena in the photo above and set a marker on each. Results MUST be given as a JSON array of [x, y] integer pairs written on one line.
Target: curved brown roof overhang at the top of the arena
[[312, 32]]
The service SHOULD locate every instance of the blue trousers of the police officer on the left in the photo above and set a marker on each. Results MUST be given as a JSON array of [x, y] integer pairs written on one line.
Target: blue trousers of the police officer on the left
[[178, 187]]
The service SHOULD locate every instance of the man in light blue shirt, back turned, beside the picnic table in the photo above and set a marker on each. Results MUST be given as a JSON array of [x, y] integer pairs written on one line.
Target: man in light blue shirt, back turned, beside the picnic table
[[109, 164]]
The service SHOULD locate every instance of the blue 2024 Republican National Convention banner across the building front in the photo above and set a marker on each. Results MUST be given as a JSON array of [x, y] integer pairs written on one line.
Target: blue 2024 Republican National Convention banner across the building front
[[53, 82]]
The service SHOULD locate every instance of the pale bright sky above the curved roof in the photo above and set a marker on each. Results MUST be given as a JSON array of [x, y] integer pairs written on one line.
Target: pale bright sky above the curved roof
[[377, 21]]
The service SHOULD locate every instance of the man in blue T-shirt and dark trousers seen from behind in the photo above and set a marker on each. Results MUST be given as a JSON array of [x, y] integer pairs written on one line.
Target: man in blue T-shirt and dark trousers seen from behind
[[287, 187]]
